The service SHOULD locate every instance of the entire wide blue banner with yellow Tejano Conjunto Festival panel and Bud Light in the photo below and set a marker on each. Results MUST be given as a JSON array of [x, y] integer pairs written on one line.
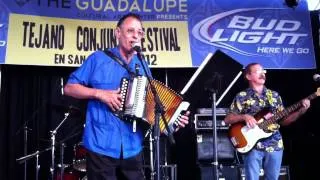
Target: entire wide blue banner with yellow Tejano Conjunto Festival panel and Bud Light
[[178, 33]]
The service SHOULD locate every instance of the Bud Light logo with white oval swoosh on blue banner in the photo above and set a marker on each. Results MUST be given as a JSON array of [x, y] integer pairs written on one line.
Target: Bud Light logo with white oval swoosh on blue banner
[[247, 33]]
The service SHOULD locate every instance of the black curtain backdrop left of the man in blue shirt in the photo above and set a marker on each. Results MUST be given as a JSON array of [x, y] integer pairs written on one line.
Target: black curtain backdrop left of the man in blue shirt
[[31, 97]]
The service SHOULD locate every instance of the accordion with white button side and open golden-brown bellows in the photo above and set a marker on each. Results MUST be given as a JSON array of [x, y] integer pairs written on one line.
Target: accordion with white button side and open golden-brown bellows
[[138, 102]]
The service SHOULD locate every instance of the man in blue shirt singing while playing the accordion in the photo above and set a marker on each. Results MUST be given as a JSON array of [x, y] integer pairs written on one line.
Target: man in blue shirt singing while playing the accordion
[[110, 141]]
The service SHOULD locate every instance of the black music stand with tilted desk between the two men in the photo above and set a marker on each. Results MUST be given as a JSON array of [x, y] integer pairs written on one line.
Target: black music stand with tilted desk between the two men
[[216, 73]]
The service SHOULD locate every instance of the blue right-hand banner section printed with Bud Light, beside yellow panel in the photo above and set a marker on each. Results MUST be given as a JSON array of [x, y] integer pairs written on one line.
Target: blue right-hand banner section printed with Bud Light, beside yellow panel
[[267, 32]]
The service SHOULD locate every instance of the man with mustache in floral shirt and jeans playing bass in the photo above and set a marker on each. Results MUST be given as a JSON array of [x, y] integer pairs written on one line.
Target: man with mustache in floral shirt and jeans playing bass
[[267, 153]]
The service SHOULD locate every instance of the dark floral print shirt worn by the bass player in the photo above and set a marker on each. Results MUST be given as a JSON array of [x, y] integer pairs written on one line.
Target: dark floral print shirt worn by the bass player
[[250, 102]]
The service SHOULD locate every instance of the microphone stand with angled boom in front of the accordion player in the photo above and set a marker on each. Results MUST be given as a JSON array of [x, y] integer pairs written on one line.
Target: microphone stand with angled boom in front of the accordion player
[[159, 110]]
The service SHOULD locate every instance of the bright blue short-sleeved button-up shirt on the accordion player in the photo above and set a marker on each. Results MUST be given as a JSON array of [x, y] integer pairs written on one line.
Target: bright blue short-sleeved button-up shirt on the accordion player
[[104, 132]]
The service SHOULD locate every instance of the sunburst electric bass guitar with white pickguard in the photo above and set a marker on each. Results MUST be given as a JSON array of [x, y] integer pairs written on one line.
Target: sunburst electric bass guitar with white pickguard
[[244, 138]]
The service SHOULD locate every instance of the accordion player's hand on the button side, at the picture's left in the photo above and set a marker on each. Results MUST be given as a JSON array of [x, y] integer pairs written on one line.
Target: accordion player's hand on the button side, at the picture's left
[[110, 97]]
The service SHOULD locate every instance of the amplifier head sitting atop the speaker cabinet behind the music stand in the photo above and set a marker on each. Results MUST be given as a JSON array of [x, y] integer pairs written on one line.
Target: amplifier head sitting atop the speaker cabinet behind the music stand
[[204, 122]]
